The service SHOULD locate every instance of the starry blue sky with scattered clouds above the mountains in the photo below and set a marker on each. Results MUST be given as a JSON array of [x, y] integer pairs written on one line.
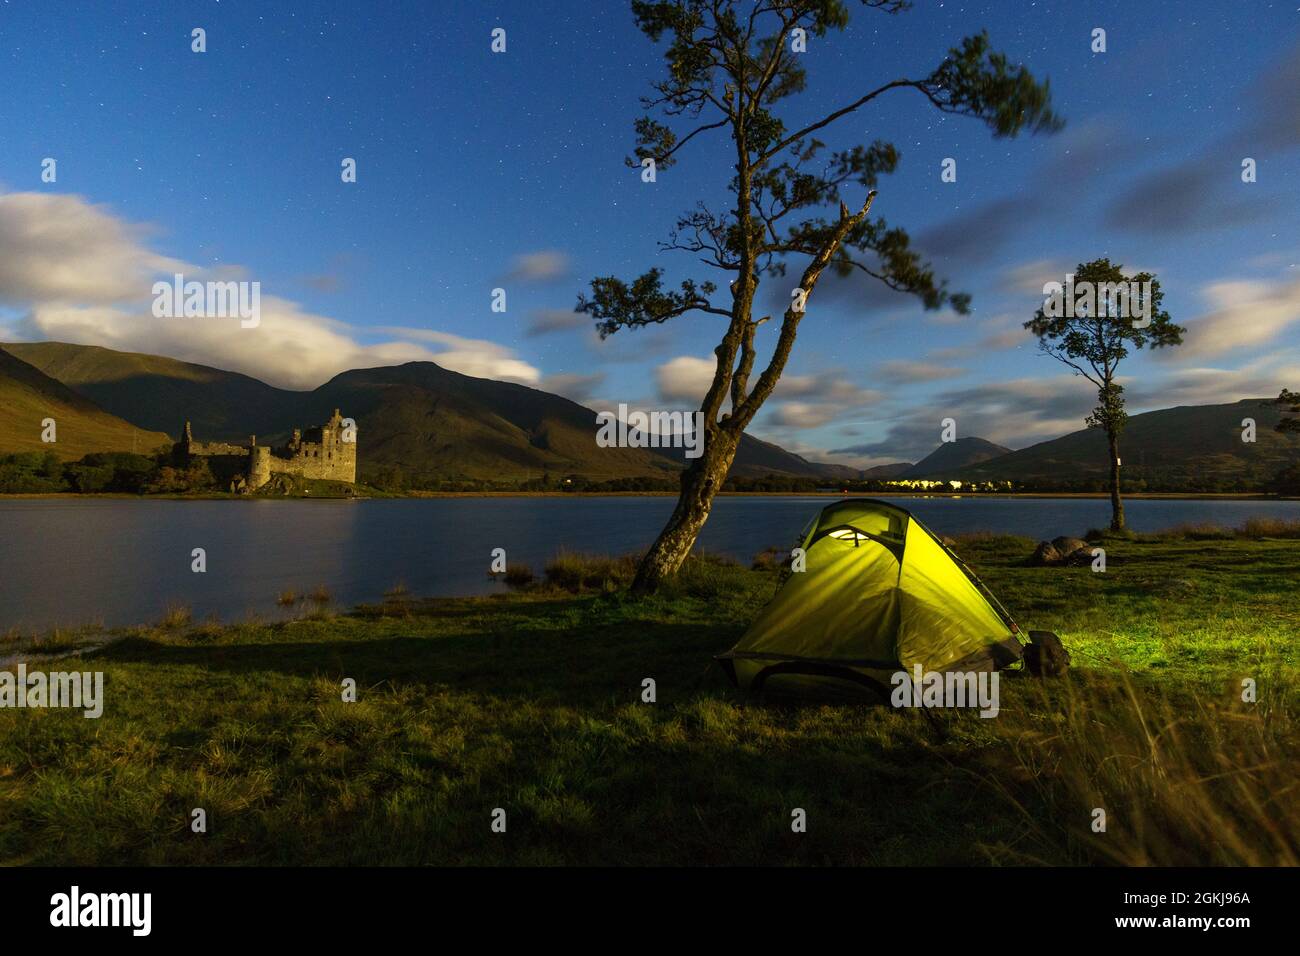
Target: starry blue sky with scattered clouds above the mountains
[[480, 171]]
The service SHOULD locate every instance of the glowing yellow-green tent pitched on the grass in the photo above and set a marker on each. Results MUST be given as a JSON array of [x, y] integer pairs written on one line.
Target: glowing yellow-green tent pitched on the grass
[[879, 594]]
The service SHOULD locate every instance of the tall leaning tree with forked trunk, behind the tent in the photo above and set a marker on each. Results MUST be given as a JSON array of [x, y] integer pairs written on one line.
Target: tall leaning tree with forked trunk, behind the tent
[[730, 66]]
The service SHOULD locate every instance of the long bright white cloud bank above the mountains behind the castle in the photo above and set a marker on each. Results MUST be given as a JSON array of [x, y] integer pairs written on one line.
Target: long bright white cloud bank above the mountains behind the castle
[[85, 276]]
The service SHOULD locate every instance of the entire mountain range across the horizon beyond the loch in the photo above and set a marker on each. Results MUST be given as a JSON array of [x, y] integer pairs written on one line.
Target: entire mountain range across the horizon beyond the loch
[[434, 423]]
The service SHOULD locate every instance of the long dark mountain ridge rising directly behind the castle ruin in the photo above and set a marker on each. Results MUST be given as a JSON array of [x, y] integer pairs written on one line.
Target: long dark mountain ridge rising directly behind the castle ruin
[[427, 421]]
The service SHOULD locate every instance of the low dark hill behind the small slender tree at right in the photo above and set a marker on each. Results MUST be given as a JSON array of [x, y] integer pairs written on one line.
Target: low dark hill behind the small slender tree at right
[[1190, 447]]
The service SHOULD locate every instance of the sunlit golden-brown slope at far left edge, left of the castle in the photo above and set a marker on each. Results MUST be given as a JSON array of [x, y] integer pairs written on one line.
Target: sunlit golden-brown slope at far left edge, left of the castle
[[28, 396]]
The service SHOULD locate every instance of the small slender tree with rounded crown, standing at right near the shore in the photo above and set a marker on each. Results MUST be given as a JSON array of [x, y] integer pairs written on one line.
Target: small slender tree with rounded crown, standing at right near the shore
[[1090, 327]]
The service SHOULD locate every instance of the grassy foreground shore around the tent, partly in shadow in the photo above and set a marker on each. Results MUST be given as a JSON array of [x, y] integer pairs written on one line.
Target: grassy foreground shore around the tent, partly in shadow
[[532, 703]]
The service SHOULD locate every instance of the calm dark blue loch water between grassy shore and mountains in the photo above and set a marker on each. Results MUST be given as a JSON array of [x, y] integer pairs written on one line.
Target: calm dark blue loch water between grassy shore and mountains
[[123, 563]]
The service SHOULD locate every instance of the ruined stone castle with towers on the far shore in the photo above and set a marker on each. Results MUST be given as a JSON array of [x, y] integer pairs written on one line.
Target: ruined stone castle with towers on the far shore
[[327, 452]]
